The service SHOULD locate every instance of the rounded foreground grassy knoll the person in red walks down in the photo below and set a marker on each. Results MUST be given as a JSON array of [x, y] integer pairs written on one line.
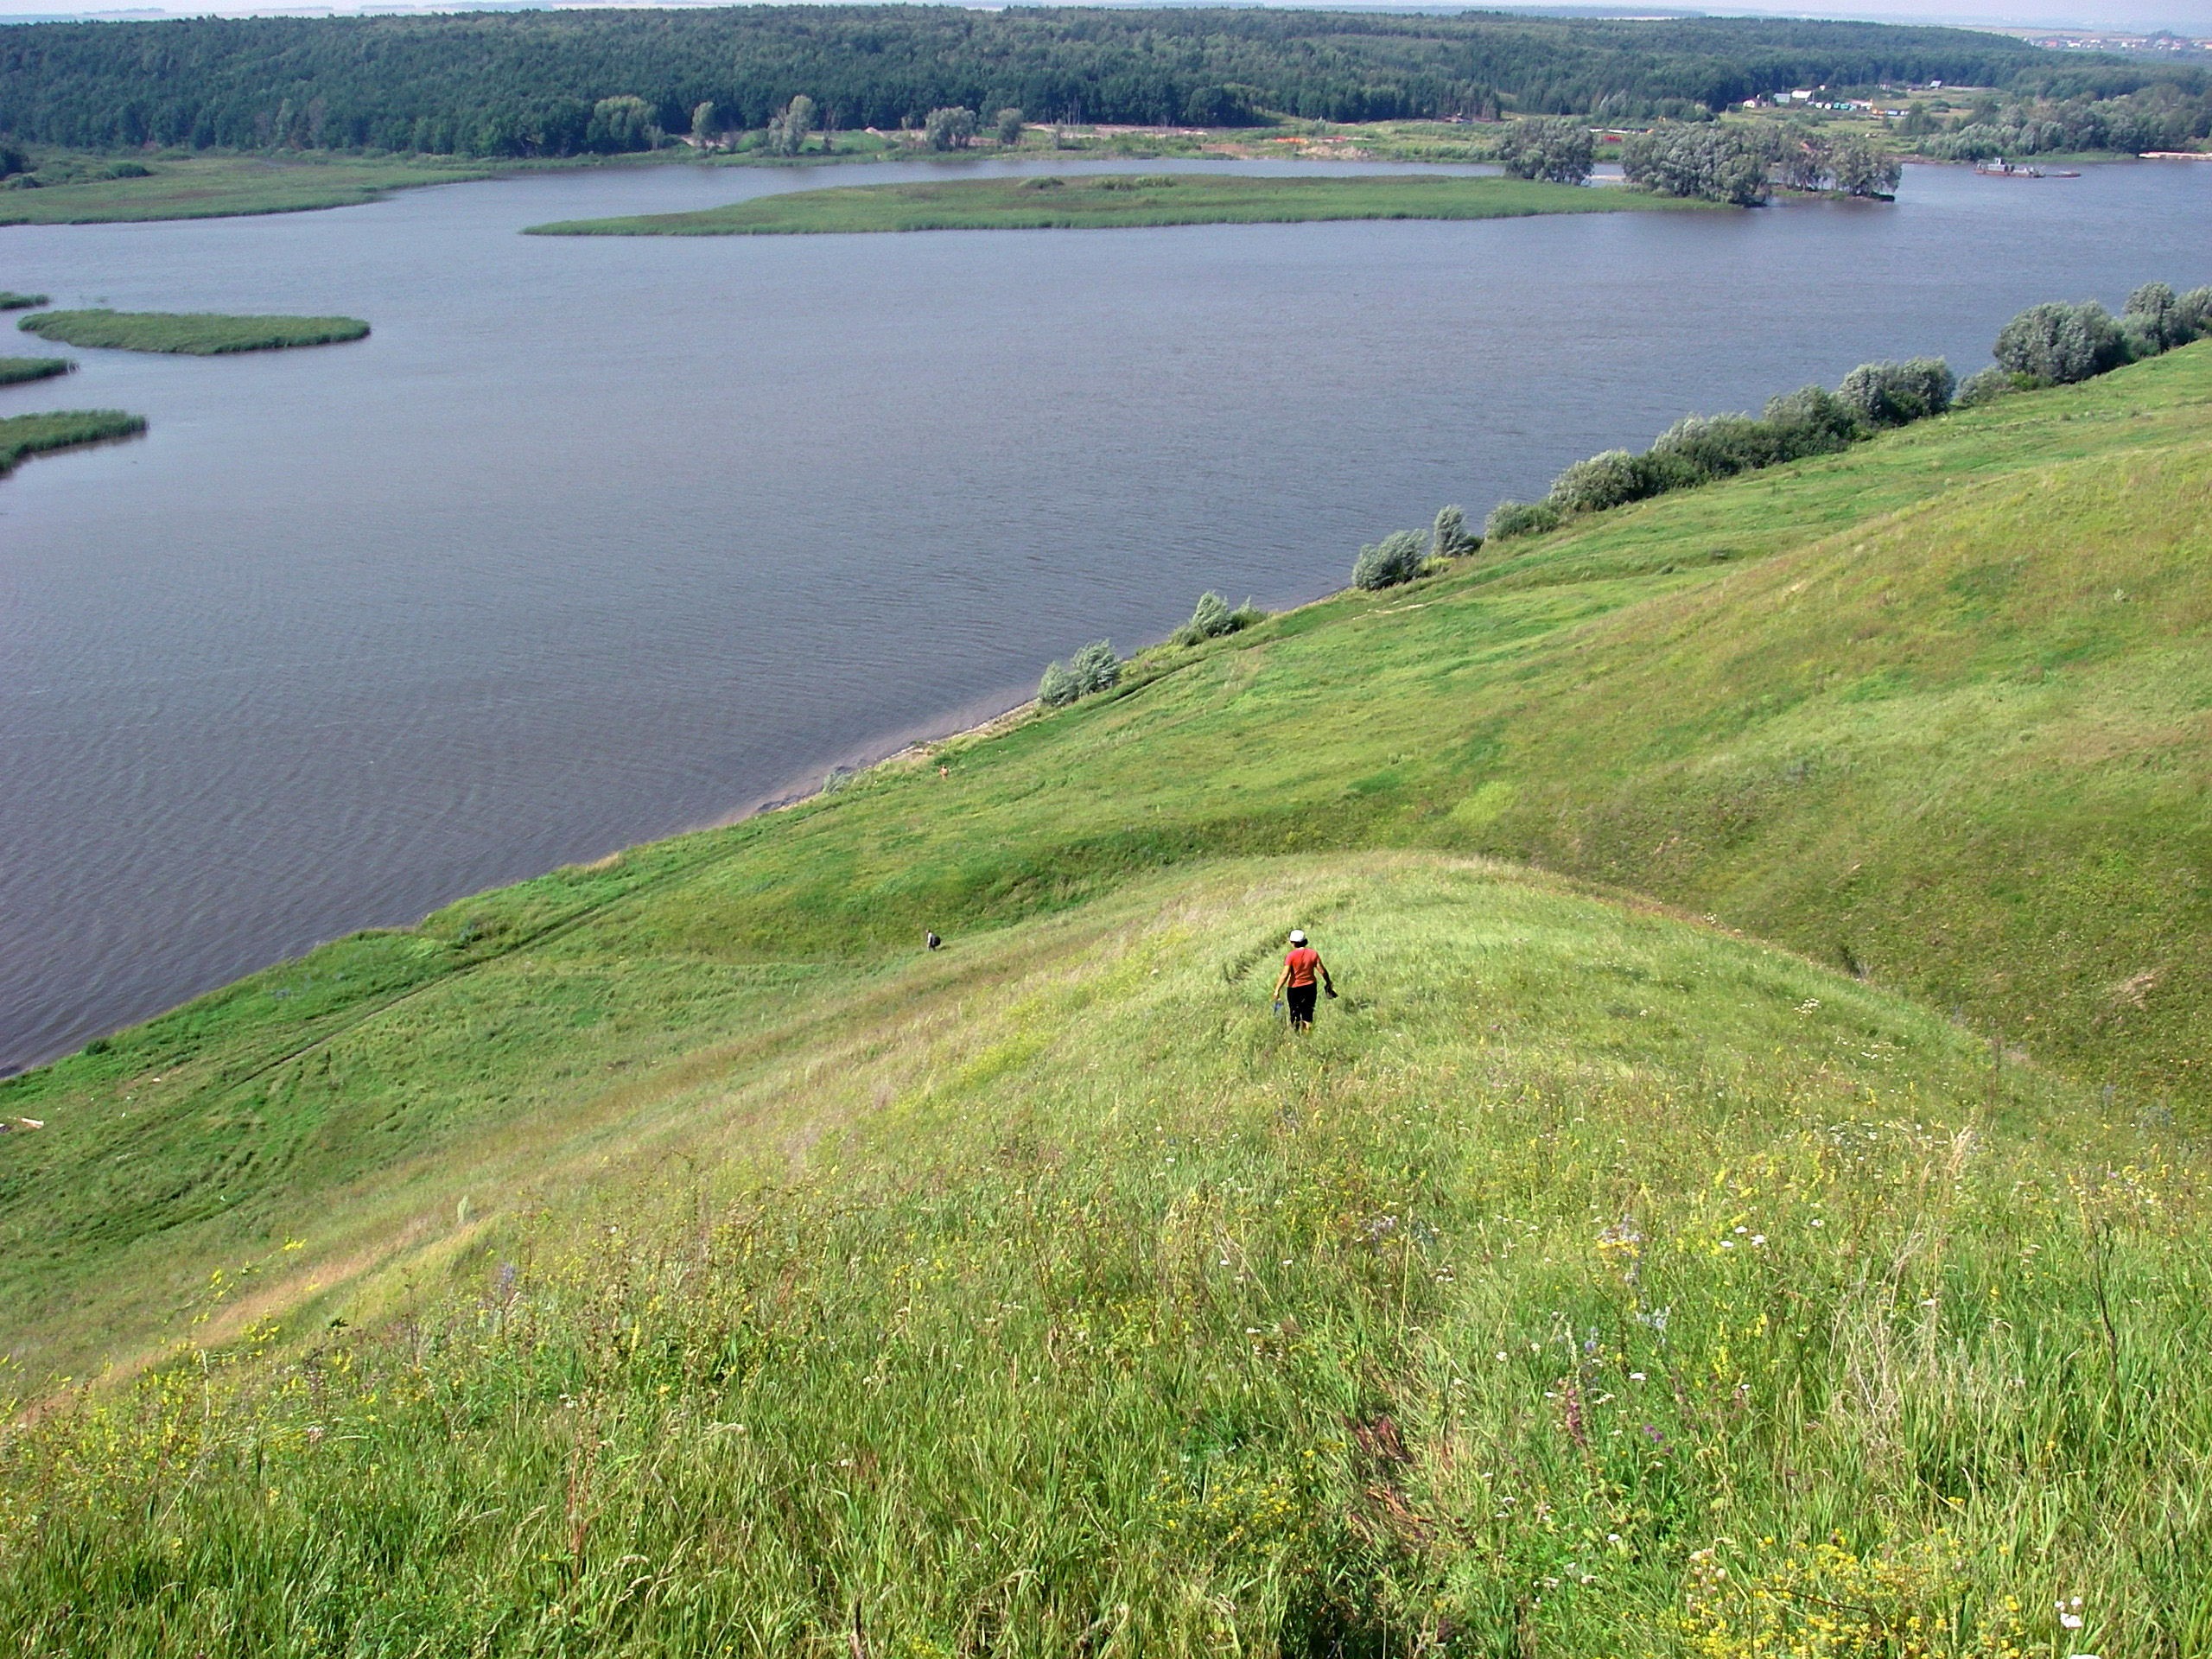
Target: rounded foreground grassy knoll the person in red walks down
[[1580, 1280]]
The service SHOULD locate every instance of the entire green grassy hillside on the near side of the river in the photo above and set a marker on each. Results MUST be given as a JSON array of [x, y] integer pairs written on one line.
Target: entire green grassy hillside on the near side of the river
[[667, 1255]]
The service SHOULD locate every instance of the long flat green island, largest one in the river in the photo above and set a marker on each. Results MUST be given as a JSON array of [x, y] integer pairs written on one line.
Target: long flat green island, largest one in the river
[[1120, 202]]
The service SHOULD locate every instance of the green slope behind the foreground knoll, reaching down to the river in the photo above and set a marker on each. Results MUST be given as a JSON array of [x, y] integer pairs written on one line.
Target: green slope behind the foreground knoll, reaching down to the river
[[1884, 707]]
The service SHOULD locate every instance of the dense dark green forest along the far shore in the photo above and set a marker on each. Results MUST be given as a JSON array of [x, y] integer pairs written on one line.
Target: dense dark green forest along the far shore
[[561, 83]]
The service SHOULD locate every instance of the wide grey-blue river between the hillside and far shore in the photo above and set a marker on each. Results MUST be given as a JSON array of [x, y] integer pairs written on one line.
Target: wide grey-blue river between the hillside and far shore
[[605, 539]]
